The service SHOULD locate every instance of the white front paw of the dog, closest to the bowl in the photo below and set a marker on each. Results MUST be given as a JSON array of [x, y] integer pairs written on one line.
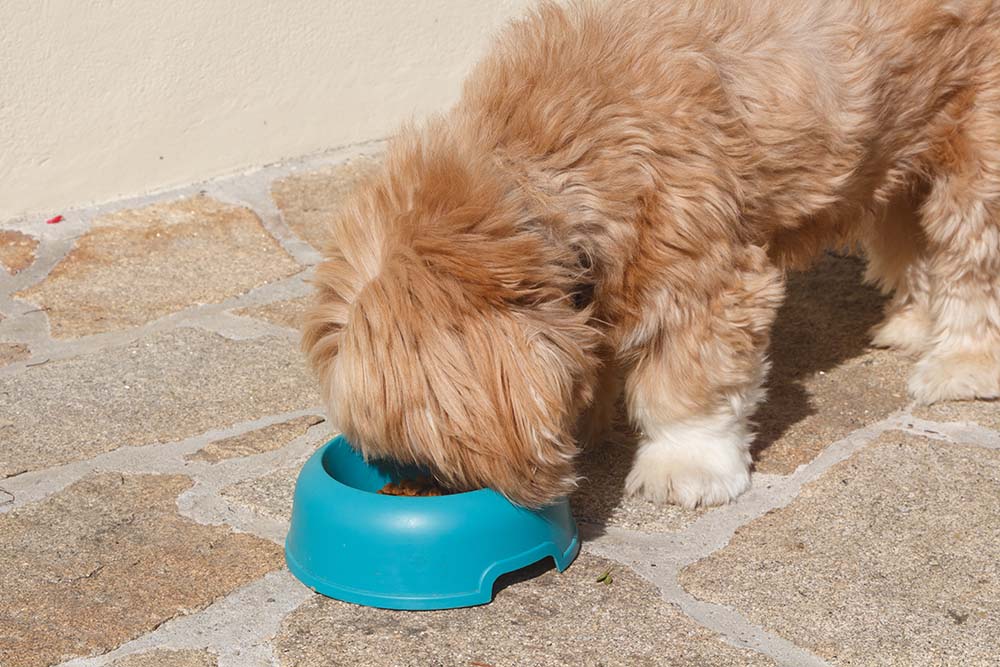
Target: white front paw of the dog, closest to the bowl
[[692, 465]]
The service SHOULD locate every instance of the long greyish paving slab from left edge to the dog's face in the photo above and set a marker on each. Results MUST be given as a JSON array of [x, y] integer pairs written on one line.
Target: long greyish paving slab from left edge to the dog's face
[[161, 388]]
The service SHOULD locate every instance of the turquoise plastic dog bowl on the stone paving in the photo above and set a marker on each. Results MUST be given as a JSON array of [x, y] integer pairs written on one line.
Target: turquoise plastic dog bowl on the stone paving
[[397, 552]]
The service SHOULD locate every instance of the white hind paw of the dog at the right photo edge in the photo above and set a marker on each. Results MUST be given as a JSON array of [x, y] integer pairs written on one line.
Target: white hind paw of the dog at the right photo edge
[[956, 376]]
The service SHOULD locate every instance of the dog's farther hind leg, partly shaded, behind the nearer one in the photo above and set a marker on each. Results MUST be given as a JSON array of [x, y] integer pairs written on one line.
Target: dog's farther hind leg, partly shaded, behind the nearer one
[[897, 263]]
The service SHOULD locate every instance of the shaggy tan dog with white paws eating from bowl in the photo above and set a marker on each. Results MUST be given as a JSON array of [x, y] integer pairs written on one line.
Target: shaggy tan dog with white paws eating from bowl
[[611, 206]]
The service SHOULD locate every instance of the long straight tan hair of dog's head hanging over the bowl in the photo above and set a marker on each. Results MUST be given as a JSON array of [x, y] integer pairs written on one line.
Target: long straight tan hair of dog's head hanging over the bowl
[[484, 399]]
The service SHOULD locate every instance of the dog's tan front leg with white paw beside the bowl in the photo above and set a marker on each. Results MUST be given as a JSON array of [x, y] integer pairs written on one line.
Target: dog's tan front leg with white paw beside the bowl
[[696, 379]]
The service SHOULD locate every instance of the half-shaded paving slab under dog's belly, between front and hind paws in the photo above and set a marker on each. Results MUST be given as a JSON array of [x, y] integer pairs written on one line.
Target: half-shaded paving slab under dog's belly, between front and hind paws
[[826, 381]]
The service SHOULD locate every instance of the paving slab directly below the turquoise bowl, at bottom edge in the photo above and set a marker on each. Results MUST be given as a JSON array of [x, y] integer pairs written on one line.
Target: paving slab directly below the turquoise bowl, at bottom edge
[[552, 620]]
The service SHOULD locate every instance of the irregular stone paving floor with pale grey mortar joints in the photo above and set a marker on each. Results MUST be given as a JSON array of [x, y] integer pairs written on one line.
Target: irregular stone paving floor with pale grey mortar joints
[[154, 411]]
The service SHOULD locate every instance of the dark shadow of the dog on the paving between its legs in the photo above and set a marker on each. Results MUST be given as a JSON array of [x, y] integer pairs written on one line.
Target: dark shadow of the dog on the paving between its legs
[[823, 323]]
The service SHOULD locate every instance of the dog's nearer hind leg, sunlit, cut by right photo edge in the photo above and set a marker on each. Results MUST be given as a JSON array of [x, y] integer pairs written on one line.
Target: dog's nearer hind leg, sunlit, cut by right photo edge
[[961, 220]]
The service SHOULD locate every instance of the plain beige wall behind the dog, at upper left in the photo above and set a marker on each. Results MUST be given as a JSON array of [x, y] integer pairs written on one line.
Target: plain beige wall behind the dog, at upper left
[[101, 99]]
